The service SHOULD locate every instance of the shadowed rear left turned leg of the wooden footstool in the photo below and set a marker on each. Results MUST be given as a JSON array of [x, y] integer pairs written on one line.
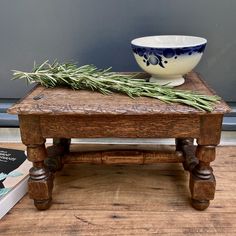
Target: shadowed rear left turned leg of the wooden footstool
[[56, 152]]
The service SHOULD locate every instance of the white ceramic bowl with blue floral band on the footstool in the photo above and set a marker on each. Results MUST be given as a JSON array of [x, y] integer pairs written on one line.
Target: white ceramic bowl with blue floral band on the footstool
[[168, 57]]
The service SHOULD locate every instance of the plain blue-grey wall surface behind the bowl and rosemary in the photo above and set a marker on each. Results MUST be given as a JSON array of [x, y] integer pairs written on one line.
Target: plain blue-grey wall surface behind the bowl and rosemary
[[99, 32]]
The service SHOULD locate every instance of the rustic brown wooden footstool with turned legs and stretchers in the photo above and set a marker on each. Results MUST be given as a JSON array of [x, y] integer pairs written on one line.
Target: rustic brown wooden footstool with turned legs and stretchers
[[62, 114]]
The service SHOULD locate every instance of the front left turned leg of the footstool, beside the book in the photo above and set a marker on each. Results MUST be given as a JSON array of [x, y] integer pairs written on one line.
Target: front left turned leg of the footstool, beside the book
[[40, 183]]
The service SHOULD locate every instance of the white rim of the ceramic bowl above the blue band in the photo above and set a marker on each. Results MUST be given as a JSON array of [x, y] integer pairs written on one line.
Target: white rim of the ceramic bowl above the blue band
[[138, 44]]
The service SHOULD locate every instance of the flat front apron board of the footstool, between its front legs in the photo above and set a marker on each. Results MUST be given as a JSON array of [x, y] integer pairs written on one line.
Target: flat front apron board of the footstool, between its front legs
[[156, 126]]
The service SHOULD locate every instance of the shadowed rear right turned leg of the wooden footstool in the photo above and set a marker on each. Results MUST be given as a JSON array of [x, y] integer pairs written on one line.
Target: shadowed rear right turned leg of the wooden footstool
[[185, 145]]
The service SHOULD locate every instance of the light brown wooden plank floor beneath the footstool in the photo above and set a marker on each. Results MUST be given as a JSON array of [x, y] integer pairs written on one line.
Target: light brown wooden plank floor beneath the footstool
[[129, 200]]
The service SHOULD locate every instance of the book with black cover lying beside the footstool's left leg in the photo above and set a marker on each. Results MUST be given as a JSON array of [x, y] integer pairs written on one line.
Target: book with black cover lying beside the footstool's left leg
[[14, 174]]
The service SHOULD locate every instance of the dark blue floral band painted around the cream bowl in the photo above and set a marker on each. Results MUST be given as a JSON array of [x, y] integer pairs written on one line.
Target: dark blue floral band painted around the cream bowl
[[160, 56]]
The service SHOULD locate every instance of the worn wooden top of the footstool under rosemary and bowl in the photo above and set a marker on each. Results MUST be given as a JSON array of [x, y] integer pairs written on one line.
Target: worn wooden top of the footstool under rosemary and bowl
[[65, 101]]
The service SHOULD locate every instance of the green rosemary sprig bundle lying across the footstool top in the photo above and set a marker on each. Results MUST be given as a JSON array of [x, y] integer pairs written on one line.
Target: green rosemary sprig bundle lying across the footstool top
[[91, 78]]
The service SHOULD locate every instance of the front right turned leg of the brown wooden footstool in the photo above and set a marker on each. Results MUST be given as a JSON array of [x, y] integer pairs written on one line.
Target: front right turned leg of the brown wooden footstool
[[202, 181]]
